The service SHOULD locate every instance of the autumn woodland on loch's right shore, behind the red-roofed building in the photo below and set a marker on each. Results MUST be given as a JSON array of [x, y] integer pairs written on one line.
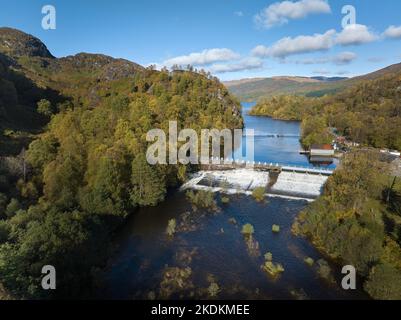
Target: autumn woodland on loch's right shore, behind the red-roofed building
[[368, 113]]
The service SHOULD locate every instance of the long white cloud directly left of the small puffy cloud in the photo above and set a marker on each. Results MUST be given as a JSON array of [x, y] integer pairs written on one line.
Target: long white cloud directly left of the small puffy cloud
[[301, 44]]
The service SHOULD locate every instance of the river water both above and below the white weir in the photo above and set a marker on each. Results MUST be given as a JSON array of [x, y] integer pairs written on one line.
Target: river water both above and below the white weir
[[212, 248]]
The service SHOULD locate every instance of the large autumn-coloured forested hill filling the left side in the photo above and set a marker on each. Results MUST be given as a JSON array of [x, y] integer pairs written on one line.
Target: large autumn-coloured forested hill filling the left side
[[86, 171]]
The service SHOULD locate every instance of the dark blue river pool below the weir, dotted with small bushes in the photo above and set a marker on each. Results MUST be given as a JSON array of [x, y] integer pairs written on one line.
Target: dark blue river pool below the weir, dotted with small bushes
[[219, 252]]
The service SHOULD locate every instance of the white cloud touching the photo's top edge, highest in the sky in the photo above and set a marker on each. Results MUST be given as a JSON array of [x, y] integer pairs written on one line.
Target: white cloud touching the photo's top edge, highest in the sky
[[281, 12]]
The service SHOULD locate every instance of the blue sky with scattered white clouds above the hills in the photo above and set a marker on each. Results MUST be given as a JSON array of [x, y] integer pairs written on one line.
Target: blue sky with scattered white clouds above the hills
[[233, 39]]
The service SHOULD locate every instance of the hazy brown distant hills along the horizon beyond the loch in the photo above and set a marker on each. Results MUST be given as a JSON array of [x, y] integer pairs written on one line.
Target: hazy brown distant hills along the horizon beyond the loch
[[254, 89]]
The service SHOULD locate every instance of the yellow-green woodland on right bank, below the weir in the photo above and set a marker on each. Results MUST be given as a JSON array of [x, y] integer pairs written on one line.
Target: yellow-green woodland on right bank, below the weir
[[358, 222]]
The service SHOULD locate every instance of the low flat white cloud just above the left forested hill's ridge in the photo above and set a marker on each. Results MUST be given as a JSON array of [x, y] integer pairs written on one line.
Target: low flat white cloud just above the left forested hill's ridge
[[205, 57]]
